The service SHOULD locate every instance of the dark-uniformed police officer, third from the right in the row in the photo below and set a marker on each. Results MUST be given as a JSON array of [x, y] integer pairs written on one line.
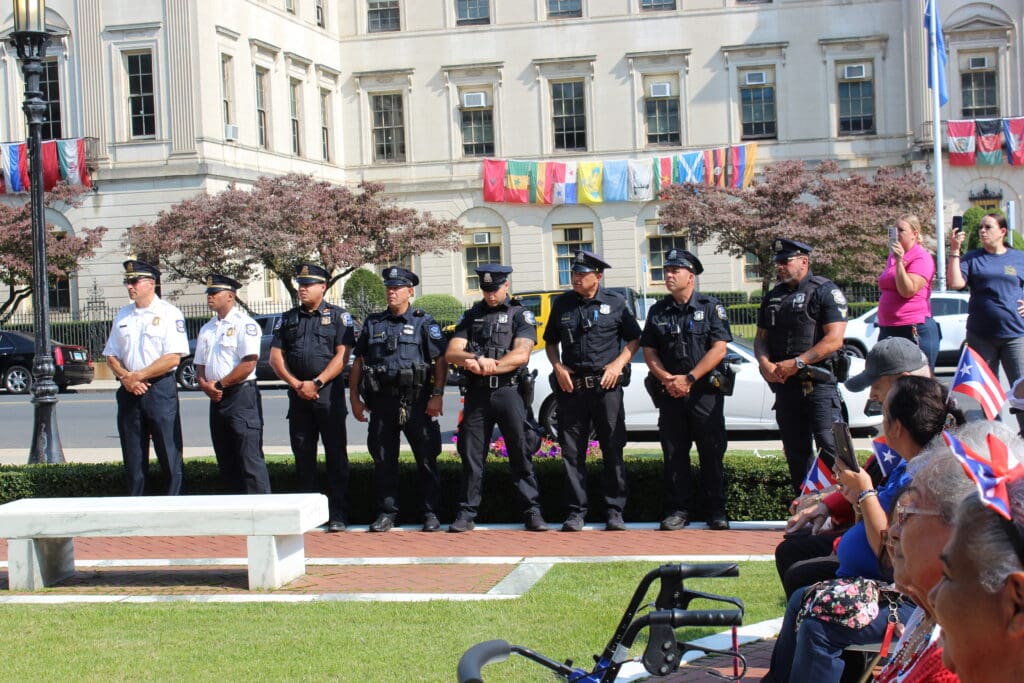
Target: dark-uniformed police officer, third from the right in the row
[[591, 338]]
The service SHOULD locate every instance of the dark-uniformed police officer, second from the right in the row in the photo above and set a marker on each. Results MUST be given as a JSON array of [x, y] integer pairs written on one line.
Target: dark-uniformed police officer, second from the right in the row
[[685, 340]]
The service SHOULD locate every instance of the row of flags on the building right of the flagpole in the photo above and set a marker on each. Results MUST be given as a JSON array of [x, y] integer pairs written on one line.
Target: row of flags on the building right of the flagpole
[[987, 142]]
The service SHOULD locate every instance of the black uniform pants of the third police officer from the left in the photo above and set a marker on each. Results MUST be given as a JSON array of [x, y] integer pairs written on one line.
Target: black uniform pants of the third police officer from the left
[[311, 421]]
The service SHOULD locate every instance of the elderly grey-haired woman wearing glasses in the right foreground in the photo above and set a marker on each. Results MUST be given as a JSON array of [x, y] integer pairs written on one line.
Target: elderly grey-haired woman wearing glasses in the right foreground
[[921, 526]]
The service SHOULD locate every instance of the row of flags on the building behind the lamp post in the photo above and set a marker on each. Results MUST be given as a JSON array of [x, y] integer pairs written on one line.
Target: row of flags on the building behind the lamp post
[[63, 160]]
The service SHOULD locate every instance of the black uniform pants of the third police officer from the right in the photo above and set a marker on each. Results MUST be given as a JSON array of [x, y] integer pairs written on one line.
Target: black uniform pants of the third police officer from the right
[[579, 413]]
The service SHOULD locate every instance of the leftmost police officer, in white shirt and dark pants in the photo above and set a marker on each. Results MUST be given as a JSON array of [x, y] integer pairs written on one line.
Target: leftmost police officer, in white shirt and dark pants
[[147, 343]]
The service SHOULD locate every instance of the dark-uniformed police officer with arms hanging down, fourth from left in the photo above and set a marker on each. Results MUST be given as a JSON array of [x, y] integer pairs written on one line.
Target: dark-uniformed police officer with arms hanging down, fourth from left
[[401, 373]]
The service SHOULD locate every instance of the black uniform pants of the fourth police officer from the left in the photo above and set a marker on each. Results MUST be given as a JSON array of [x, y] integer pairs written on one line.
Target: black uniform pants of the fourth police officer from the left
[[424, 436]]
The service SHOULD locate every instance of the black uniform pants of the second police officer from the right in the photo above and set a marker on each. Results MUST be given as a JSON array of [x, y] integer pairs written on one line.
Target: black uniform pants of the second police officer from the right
[[698, 417]]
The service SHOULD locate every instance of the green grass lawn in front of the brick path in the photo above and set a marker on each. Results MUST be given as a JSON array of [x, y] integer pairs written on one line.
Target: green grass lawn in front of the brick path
[[570, 614]]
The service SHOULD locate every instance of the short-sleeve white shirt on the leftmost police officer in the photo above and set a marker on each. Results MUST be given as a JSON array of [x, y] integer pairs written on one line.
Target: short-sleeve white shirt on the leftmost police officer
[[140, 336]]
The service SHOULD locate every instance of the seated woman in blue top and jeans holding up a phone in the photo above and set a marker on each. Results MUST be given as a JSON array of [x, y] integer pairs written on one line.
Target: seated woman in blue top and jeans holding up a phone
[[808, 649]]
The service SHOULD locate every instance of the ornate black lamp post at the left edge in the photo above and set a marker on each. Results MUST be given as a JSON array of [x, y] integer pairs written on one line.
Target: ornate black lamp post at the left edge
[[31, 39]]
